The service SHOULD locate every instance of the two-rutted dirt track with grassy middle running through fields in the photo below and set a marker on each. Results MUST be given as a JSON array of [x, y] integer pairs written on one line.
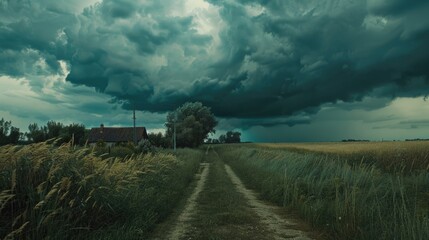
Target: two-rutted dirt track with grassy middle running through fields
[[221, 207]]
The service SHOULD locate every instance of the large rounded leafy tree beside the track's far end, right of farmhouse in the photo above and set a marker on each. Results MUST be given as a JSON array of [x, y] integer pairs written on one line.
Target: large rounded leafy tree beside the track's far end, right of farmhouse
[[193, 123]]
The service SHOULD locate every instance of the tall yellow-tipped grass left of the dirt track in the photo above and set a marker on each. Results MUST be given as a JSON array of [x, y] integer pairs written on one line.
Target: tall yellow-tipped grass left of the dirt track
[[49, 192]]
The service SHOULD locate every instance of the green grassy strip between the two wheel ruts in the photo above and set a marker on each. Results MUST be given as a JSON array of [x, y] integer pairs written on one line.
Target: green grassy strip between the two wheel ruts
[[222, 211]]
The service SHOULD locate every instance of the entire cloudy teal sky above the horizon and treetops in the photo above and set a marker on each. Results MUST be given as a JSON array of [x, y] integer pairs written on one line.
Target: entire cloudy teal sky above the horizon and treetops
[[278, 70]]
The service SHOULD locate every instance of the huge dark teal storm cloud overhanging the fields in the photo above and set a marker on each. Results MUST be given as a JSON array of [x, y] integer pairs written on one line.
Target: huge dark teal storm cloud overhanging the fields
[[250, 59]]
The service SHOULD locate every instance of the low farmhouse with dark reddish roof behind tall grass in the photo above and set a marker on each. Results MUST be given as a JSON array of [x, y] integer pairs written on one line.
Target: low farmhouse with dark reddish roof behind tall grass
[[111, 136]]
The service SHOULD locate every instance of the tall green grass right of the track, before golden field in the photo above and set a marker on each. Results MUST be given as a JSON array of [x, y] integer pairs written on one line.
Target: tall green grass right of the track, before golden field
[[350, 201]]
